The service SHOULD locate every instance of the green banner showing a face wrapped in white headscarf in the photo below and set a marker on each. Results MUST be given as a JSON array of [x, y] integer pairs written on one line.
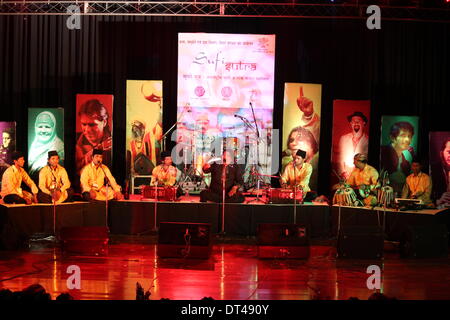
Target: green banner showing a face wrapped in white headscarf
[[45, 133]]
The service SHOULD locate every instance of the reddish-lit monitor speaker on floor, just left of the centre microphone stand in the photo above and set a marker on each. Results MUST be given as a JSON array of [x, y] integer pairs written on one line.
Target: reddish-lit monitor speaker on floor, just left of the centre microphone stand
[[184, 240]]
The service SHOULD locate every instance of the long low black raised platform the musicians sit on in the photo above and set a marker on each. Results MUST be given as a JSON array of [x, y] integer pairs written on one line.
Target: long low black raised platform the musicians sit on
[[137, 217]]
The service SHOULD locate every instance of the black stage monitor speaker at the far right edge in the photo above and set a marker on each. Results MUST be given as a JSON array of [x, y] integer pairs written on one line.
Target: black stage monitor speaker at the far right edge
[[428, 241]]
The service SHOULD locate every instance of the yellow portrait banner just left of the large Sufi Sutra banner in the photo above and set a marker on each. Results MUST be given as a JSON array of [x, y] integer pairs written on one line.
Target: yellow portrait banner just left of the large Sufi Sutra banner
[[144, 126]]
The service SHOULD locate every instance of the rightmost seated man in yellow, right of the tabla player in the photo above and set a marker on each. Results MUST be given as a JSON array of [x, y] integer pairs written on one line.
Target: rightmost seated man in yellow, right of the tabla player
[[418, 184]]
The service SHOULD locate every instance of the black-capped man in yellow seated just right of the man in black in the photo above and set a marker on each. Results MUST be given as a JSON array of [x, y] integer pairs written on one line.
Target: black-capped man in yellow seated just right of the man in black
[[297, 173]]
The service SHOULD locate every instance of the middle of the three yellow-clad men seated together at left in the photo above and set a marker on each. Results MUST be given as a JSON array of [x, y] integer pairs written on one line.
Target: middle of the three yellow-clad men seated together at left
[[54, 183]]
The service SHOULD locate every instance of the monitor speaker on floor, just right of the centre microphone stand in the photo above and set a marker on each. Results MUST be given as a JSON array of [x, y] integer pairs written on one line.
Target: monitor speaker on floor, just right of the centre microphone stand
[[283, 241]]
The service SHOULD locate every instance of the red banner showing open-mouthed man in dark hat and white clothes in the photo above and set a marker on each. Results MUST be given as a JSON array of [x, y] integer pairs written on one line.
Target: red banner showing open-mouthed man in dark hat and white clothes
[[350, 136]]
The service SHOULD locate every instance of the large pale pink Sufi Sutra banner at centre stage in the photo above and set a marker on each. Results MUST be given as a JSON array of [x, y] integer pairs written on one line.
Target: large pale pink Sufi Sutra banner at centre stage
[[221, 78]]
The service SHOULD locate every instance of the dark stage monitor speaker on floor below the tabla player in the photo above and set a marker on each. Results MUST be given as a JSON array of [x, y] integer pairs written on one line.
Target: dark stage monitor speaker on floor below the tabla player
[[360, 242]]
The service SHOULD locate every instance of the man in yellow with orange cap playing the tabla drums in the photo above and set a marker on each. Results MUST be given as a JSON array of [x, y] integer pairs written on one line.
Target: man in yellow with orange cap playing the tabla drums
[[365, 178]]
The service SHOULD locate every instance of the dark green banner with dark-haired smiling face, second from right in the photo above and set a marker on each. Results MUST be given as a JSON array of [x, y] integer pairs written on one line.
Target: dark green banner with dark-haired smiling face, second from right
[[398, 147]]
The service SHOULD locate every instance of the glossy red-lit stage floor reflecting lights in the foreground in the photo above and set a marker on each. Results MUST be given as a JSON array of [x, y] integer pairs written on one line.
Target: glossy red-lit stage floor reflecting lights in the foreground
[[232, 272]]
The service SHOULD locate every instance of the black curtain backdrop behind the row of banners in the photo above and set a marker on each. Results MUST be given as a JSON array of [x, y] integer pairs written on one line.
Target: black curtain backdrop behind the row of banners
[[402, 68]]
